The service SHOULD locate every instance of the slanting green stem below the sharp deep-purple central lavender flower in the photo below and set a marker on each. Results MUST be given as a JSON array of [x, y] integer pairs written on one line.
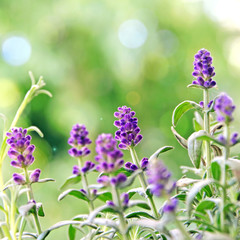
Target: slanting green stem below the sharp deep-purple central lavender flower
[[144, 183]]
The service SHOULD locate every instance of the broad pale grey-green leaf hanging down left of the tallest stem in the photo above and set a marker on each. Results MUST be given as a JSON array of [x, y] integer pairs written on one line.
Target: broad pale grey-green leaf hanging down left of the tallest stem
[[195, 148]]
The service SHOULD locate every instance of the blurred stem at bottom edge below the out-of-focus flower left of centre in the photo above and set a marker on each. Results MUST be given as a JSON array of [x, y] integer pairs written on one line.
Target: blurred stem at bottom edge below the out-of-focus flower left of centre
[[117, 201]]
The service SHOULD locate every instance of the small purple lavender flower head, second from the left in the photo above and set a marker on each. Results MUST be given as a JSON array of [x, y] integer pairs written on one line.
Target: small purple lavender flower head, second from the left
[[78, 140]]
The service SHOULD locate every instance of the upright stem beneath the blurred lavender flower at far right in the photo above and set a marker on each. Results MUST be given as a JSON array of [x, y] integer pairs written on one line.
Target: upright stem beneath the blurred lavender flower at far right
[[226, 154]]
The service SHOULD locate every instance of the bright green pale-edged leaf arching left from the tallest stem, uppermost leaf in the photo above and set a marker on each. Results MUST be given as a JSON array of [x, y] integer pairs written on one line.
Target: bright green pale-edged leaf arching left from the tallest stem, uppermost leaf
[[181, 109]]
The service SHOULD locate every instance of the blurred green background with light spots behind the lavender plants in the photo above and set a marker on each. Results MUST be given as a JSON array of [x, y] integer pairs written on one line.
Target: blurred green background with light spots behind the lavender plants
[[96, 55]]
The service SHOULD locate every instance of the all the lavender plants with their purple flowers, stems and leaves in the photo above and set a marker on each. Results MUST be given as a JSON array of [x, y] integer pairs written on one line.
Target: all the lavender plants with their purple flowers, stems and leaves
[[204, 207]]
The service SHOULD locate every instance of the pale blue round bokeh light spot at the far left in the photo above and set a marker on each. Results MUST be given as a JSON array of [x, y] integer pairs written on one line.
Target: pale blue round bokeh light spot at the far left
[[16, 50]]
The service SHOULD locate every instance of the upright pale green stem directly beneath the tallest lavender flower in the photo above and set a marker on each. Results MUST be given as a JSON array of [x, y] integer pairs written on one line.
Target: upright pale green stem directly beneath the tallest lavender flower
[[207, 129]]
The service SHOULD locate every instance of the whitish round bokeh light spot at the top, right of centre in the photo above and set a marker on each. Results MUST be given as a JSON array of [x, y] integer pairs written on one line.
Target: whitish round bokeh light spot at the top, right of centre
[[132, 33]]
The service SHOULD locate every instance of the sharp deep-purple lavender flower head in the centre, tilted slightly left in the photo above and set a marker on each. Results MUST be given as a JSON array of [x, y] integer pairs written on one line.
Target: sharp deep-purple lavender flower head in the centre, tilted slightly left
[[128, 133]]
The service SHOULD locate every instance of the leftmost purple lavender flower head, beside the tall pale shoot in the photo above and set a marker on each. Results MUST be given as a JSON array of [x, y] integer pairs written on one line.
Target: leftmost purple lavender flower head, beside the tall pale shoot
[[20, 148]]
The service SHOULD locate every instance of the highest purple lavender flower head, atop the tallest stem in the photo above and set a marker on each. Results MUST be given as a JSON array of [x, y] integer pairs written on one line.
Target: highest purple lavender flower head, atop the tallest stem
[[203, 69]]
